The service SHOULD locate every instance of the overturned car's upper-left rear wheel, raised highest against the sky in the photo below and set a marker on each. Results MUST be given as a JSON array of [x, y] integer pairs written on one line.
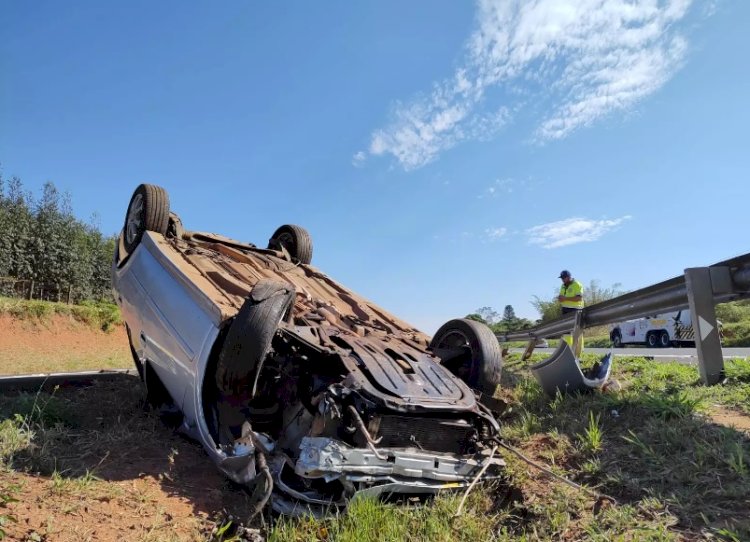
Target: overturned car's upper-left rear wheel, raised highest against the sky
[[148, 210]]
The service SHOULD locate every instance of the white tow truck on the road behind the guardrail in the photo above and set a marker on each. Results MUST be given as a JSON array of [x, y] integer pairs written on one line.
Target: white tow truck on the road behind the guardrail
[[660, 330]]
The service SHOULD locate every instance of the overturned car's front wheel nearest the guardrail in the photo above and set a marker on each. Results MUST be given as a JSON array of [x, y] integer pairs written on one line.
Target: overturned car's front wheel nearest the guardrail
[[471, 351]]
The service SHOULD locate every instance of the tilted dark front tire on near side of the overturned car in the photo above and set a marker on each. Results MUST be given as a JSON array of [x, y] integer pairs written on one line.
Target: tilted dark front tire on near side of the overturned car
[[250, 335]]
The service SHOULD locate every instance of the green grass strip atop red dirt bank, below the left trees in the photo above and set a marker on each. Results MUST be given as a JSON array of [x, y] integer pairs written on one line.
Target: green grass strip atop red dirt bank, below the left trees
[[99, 315]]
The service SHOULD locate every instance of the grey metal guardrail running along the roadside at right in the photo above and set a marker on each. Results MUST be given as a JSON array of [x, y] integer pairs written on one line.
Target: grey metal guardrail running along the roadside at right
[[699, 289]]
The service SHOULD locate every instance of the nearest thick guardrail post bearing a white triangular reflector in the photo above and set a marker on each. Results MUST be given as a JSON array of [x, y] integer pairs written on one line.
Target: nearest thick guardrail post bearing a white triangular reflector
[[705, 327]]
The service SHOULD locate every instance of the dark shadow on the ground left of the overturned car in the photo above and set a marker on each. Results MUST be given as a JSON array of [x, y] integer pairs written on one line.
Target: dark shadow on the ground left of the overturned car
[[103, 432]]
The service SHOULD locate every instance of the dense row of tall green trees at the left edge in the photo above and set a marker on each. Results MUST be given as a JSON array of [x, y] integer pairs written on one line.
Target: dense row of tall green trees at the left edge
[[45, 251]]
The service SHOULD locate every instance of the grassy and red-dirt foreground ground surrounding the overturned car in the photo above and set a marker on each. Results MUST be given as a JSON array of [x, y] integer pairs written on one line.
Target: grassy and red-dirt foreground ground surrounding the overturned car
[[674, 455]]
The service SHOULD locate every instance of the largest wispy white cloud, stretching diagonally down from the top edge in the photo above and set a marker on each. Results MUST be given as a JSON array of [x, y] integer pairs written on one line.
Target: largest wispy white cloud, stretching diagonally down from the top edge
[[588, 58]]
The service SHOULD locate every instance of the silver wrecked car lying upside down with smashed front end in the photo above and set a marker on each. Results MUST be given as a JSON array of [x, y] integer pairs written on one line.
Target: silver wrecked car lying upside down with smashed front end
[[296, 386]]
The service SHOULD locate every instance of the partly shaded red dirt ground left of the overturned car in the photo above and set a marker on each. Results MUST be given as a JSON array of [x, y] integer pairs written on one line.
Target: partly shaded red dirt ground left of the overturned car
[[149, 482]]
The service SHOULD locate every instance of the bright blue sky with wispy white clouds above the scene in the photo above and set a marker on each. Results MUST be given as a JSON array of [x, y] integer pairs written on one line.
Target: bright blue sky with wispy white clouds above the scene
[[444, 155]]
